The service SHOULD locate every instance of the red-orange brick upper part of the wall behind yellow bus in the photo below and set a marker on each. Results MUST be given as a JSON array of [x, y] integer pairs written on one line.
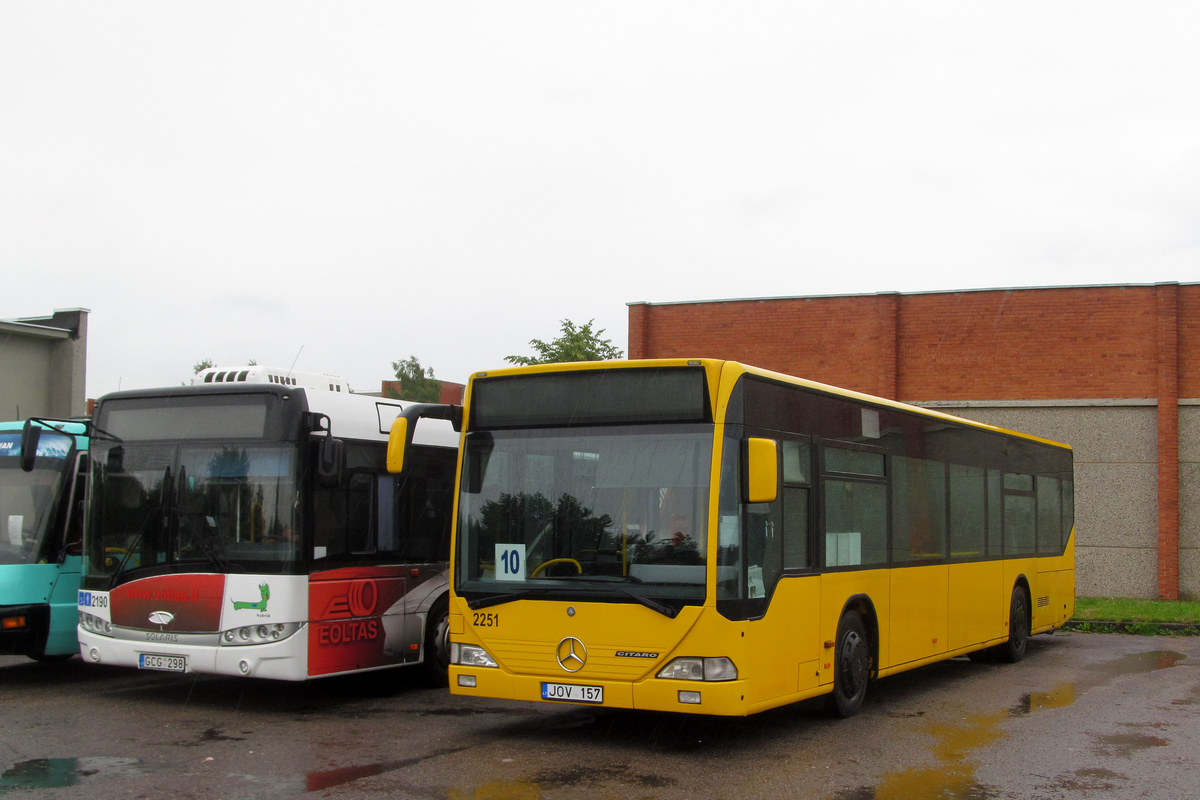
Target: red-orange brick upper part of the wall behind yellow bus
[[1091, 342]]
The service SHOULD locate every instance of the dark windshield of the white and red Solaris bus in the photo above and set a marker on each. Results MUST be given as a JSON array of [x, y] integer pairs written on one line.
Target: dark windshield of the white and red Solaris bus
[[208, 508]]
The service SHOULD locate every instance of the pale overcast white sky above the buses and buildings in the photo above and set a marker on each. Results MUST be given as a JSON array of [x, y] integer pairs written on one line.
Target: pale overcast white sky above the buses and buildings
[[370, 182]]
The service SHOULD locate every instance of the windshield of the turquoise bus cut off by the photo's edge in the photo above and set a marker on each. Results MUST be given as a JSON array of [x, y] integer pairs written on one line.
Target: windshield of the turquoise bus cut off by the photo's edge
[[28, 500]]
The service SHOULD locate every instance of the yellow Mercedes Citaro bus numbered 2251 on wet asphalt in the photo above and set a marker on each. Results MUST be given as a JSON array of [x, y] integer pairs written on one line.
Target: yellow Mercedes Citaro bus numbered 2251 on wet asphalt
[[711, 538]]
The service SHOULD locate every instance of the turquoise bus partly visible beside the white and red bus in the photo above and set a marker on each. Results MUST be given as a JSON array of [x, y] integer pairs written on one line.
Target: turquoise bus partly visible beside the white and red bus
[[43, 479]]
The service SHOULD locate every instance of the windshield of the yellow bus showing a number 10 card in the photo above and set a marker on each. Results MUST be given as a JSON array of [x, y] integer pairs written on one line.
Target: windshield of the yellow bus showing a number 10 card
[[581, 512]]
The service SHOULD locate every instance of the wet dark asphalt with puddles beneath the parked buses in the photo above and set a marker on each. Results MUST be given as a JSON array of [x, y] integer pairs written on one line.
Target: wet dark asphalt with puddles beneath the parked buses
[[1083, 717]]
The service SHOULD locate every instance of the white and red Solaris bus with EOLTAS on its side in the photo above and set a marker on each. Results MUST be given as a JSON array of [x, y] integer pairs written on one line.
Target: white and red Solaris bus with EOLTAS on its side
[[248, 526]]
